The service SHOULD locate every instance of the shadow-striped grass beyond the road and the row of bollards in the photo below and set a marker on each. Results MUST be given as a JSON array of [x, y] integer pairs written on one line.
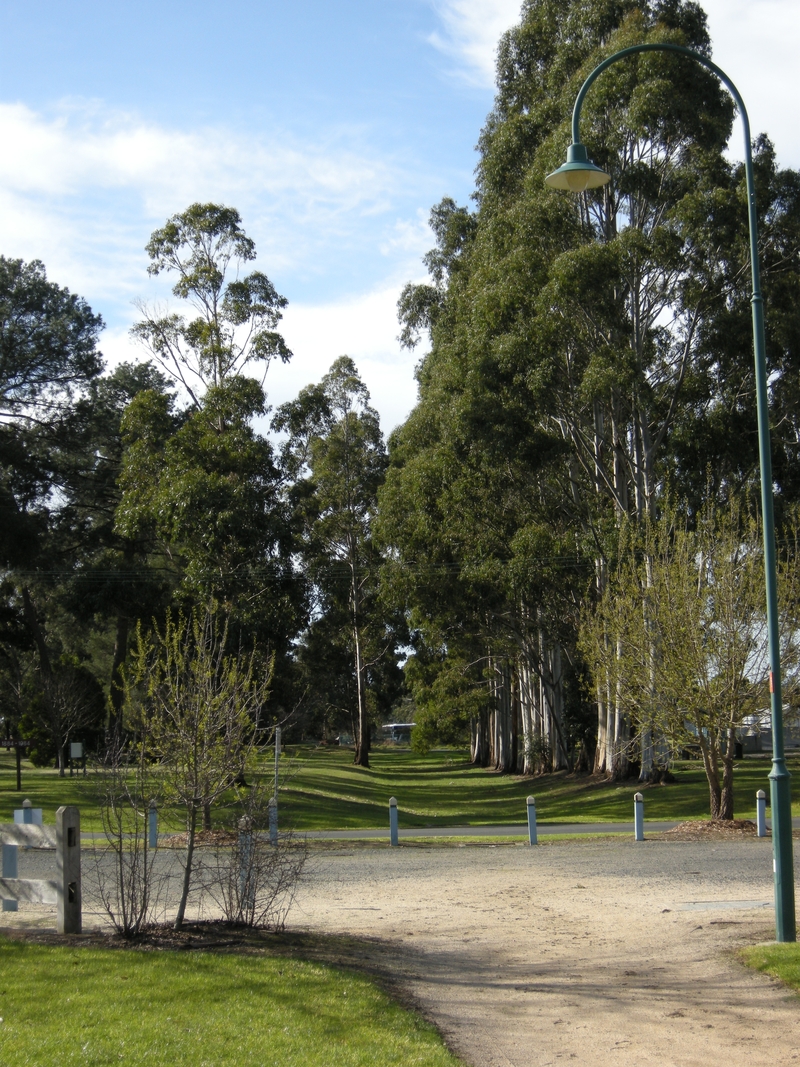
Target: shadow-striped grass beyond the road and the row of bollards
[[324, 790]]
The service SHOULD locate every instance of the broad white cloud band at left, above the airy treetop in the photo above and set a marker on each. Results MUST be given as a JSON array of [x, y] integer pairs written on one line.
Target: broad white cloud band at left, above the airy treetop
[[70, 178]]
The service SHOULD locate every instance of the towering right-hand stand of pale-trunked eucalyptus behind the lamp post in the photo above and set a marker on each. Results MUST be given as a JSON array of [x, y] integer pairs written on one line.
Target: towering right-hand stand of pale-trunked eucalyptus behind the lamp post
[[591, 361]]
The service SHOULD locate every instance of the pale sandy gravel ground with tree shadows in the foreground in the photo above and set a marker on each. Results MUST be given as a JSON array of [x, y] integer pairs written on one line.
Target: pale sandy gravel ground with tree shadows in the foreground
[[602, 952]]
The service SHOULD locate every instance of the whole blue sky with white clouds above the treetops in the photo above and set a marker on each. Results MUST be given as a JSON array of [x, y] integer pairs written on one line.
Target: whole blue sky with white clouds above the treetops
[[332, 125]]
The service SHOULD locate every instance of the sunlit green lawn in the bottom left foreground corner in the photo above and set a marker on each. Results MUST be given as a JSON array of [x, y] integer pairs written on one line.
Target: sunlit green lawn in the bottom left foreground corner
[[101, 1007]]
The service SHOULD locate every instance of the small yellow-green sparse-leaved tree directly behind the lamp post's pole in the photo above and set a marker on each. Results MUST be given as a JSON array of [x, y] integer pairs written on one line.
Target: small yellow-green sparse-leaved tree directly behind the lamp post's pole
[[680, 636]]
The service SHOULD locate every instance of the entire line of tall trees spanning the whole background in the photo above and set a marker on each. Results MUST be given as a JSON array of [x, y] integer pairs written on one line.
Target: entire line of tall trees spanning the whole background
[[585, 435]]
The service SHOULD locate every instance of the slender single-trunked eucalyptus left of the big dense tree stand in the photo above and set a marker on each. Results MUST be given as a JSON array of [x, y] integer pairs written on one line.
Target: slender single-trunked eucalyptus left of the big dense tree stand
[[337, 454]]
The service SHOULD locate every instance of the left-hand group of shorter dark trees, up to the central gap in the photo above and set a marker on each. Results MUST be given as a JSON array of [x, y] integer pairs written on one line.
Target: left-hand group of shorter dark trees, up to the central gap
[[167, 490]]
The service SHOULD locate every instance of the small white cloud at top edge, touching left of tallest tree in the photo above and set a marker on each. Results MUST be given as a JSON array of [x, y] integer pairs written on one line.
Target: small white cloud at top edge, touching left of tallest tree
[[472, 29]]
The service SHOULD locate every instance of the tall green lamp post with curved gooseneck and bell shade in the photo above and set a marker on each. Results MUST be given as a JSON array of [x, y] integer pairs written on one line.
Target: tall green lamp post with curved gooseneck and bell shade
[[579, 173]]
